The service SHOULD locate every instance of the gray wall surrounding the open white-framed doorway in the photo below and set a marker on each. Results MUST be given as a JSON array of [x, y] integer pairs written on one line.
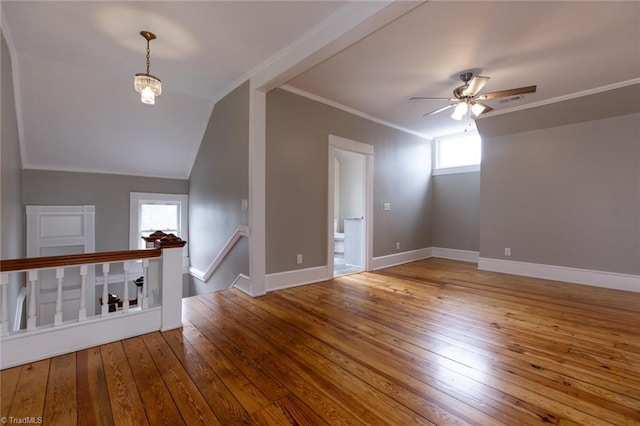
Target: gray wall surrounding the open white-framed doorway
[[296, 182]]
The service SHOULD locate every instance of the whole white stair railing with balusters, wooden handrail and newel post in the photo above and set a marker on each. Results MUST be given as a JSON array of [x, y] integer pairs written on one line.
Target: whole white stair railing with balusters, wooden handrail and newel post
[[158, 309]]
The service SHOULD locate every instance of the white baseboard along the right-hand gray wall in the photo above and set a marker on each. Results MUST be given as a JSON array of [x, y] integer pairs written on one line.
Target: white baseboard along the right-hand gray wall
[[603, 279]]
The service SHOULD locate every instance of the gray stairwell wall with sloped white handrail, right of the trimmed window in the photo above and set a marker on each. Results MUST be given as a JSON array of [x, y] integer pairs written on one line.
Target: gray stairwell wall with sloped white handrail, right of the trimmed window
[[218, 183]]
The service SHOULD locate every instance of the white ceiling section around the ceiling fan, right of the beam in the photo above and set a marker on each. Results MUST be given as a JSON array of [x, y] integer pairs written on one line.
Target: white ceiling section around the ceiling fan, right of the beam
[[562, 47]]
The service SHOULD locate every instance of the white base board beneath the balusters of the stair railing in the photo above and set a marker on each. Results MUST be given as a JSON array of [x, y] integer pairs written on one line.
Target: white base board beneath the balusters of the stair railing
[[25, 347]]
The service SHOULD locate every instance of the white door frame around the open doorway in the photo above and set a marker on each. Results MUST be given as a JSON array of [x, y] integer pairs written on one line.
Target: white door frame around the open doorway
[[337, 142]]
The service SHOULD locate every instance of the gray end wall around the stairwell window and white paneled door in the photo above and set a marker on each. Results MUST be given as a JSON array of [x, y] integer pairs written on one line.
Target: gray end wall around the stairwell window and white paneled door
[[109, 193]]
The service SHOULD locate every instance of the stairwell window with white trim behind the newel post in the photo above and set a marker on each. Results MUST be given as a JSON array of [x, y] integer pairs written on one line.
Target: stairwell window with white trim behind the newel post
[[150, 212]]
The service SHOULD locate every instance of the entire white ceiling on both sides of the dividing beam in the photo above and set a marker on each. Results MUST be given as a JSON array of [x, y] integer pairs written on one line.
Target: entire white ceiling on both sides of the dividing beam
[[75, 63]]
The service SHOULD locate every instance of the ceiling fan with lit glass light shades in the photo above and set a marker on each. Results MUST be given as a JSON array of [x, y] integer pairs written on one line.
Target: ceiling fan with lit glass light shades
[[467, 98]]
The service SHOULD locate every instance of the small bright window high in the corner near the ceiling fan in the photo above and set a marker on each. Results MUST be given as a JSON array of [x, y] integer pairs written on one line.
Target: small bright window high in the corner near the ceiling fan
[[457, 154]]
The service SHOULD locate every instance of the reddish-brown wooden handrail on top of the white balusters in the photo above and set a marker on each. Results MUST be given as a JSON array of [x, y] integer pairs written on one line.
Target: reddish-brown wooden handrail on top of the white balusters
[[12, 265]]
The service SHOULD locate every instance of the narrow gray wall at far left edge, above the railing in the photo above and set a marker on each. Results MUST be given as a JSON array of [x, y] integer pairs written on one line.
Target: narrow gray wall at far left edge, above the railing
[[12, 227]]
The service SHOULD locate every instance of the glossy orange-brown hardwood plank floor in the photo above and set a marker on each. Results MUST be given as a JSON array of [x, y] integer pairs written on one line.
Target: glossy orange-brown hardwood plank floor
[[431, 342]]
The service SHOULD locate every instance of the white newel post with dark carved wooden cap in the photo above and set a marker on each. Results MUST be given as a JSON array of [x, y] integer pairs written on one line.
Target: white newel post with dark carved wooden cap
[[171, 276]]
